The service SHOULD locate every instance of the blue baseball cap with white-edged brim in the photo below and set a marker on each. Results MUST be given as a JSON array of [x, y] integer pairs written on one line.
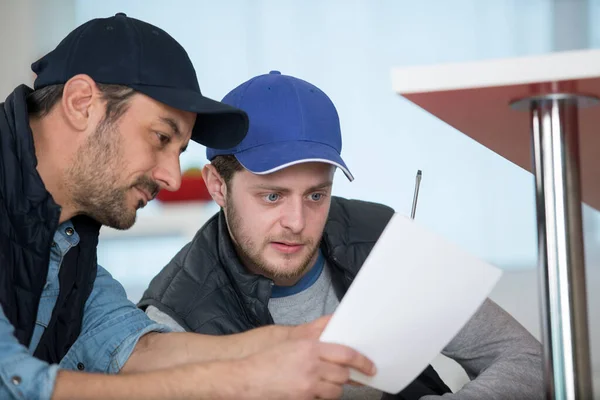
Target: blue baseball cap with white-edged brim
[[291, 122]]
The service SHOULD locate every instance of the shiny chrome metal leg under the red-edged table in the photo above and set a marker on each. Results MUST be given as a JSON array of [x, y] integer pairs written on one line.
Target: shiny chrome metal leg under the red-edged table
[[560, 244]]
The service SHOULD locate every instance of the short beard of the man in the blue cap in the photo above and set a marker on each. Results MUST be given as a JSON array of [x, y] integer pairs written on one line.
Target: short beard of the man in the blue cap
[[249, 252]]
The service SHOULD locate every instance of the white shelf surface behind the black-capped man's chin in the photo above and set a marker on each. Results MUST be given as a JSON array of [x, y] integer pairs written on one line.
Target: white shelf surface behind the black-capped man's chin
[[182, 219]]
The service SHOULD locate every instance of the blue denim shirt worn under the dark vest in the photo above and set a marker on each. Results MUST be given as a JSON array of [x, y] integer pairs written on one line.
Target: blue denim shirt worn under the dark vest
[[111, 328]]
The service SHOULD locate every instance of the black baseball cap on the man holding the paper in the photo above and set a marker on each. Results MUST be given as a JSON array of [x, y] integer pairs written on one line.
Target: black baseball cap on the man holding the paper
[[126, 51]]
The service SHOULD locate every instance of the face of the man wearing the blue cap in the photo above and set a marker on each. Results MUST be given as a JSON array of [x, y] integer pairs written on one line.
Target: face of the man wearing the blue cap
[[276, 221]]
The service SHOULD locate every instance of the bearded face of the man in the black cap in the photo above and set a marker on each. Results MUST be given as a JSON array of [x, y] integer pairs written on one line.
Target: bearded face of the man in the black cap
[[122, 165]]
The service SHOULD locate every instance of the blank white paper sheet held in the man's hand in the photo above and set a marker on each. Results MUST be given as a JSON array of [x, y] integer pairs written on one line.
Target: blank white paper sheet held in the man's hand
[[414, 293]]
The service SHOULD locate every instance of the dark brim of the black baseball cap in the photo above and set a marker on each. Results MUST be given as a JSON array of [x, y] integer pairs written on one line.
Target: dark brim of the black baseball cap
[[218, 125]]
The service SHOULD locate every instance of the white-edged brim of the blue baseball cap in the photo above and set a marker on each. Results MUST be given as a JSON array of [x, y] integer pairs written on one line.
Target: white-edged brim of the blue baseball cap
[[273, 157]]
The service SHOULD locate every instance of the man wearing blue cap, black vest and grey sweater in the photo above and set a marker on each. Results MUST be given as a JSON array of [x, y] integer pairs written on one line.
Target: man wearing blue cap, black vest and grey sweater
[[283, 250]]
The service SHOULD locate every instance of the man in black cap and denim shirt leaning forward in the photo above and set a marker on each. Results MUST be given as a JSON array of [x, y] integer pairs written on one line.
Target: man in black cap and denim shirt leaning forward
[[112, 108]]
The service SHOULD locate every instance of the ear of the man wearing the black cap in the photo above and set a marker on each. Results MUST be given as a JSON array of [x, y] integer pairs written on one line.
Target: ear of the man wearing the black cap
[[80, 103]]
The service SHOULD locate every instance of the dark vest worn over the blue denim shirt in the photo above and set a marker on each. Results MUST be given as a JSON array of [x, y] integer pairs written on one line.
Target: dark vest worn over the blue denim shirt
[[28, 220]]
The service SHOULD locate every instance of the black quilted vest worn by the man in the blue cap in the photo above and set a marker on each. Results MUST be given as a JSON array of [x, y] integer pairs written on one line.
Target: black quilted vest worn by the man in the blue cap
[[207, 290]]
